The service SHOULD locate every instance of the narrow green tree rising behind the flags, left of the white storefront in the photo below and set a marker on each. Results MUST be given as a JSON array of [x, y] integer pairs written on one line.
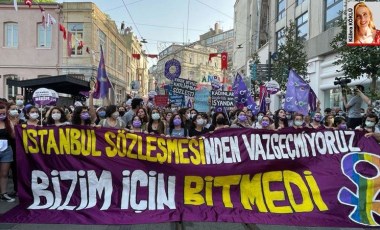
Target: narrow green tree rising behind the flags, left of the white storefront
[[291, 54]]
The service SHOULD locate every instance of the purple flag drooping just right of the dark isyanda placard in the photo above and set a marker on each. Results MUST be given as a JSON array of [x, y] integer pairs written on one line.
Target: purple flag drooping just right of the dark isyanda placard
[[242, 95]]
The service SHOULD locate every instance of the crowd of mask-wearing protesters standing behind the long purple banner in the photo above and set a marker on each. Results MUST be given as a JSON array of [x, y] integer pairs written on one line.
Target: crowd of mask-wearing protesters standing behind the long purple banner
[[171, 121]]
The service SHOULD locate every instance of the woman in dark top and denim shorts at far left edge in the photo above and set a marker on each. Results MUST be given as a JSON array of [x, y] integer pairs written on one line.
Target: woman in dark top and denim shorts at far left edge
[[6, 153]]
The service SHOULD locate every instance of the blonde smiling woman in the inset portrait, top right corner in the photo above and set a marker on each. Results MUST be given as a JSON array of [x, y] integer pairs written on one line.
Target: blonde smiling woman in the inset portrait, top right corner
[[365, 29]]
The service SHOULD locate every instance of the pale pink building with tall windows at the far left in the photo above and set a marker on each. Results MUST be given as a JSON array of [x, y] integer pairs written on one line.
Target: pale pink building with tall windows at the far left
[[28, 49]]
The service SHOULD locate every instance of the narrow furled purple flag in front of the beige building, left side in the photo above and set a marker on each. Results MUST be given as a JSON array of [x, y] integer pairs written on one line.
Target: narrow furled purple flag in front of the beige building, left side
[[102, 82]]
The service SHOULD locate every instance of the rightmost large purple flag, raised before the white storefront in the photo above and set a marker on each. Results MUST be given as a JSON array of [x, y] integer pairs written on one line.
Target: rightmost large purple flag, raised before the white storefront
[[297, 94]]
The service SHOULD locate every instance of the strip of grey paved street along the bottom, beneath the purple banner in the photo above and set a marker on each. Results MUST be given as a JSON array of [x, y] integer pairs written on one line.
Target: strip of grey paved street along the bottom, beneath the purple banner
[[4, 207]]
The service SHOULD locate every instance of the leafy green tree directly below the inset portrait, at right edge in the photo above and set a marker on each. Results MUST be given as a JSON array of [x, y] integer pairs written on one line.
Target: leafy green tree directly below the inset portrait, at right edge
[[356, 60]]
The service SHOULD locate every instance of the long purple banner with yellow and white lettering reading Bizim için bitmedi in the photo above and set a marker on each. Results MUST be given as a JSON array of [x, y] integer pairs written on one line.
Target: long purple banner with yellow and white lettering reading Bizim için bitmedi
[[84, 175]]
